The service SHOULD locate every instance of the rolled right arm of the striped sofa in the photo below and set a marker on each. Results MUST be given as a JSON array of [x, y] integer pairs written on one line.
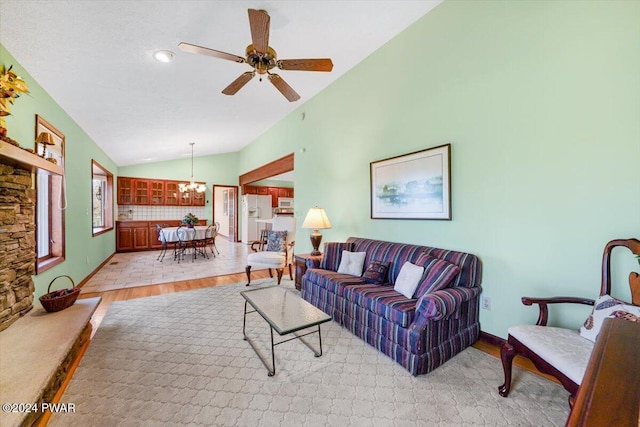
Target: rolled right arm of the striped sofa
[[442, 304]]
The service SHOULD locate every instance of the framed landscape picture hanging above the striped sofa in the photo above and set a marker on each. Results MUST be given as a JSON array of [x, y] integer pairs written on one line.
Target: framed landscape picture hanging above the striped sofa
[[412, 186]]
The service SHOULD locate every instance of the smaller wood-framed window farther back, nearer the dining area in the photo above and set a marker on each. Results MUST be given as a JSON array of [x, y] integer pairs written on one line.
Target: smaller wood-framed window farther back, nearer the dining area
[[101, 199]]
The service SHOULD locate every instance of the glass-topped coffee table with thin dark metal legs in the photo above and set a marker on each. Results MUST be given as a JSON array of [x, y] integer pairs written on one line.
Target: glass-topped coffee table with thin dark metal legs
[[286, 313]]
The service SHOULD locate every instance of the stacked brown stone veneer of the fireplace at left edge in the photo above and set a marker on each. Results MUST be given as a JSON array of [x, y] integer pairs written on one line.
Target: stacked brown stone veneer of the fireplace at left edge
[[17, 243]]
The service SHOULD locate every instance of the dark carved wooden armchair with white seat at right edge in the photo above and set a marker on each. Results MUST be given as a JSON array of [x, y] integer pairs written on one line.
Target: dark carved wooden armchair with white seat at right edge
[[560, 352]]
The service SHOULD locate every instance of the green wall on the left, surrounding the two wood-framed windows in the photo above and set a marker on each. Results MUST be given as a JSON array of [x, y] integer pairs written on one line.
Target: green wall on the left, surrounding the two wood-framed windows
[[84, 253]]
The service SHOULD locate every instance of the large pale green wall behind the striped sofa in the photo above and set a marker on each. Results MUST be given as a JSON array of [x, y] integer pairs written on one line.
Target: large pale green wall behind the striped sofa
[[541, 103]]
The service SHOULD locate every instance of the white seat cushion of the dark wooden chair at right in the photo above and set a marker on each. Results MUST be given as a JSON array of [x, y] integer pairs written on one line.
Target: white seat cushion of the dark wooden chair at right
[[562, 348]]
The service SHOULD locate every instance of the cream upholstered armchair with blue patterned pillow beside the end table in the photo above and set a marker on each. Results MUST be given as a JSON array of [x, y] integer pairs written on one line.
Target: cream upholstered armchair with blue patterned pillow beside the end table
[[275, 249]]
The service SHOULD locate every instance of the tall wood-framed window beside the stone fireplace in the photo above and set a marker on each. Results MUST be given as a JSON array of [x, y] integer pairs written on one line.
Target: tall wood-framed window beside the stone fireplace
[[50, 200]]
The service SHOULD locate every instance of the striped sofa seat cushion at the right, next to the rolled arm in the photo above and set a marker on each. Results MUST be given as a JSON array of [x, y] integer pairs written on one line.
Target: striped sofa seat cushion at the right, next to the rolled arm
[[383, 301]]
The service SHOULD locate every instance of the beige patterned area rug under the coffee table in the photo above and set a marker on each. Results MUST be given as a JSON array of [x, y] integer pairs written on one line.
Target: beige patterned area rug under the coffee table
[[180, 359]]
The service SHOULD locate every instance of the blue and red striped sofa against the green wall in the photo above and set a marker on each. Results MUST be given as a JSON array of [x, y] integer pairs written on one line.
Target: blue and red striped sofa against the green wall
[[420, 334]]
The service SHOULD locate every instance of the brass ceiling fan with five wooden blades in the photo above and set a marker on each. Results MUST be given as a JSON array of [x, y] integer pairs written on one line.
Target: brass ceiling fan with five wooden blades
[[262, 58]]
